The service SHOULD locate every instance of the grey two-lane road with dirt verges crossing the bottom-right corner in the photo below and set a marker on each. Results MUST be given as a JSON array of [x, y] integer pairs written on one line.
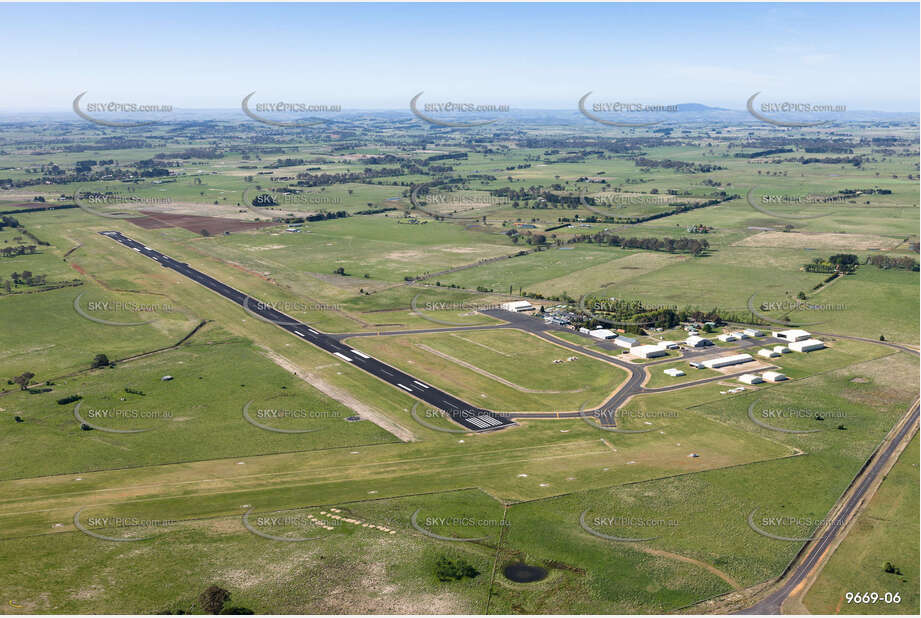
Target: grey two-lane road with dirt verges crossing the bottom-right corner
[[812, 555]]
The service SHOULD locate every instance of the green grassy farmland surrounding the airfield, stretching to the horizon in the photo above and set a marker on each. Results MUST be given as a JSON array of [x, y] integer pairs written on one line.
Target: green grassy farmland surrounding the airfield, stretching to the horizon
[[684, 479]]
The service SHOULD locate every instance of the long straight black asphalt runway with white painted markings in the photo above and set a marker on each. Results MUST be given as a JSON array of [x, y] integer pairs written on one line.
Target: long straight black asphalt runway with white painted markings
[[470, 417]]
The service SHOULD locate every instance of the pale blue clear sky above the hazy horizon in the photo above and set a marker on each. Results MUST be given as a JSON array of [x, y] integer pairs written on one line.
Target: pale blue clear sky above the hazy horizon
[[525, 56]]
